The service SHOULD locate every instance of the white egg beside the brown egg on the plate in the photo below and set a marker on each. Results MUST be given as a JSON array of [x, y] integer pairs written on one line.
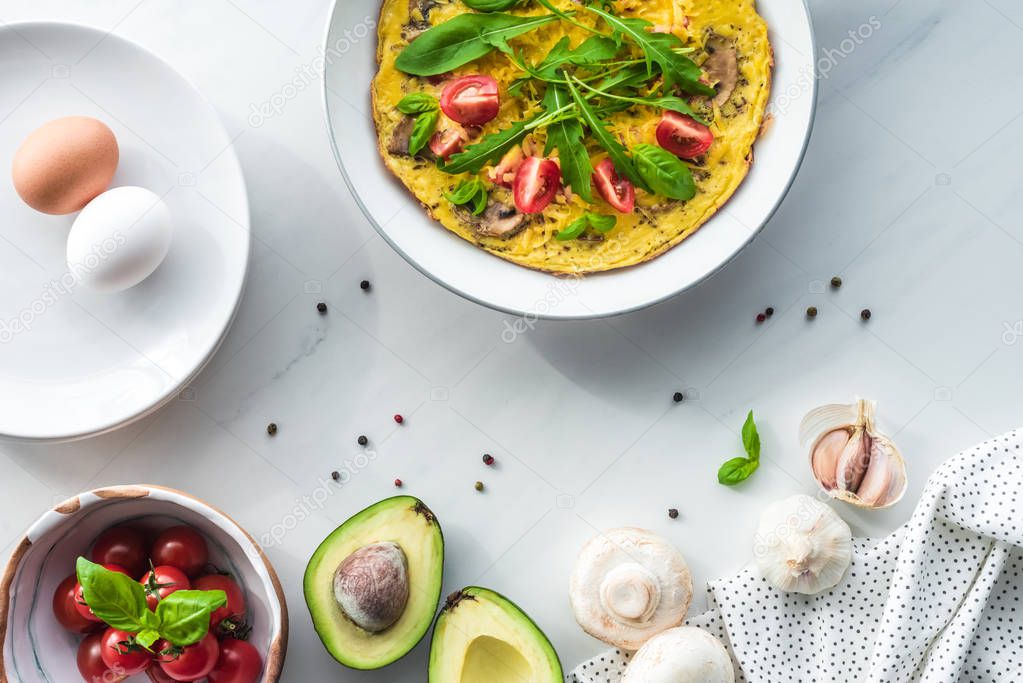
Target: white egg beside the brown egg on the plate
[[119, 240]]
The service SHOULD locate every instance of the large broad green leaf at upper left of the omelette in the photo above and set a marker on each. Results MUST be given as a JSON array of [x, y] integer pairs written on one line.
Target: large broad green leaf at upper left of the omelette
[[464, 39]]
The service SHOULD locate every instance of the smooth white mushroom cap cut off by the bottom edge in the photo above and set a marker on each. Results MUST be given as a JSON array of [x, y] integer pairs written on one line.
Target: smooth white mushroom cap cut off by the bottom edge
[[682, 656]]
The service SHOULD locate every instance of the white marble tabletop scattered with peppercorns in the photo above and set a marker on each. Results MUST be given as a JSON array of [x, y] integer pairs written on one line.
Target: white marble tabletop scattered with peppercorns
[[910, 192]]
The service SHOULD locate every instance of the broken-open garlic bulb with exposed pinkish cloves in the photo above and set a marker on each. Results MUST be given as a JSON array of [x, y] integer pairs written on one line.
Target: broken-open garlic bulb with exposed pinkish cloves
[[852, 461]]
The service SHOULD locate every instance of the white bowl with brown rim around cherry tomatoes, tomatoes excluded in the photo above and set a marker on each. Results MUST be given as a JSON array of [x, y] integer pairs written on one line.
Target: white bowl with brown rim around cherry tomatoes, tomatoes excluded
[[37, 650]]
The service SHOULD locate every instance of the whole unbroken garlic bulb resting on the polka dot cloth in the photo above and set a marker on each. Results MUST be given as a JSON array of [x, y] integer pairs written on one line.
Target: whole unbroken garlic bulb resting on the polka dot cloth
[[803, 547]]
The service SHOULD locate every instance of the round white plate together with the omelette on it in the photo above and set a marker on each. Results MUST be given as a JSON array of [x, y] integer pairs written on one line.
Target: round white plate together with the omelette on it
[[564, 160]]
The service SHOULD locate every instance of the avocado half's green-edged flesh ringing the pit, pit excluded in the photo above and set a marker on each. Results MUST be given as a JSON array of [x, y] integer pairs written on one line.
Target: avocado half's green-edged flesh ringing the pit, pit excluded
[[410, 524]]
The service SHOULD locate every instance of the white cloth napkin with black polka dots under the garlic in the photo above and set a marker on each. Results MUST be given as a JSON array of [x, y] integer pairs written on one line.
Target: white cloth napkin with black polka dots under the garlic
[[940, 601]]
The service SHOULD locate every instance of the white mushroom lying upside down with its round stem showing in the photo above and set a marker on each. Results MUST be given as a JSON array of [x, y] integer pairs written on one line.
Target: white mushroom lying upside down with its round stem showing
[[630, 585]]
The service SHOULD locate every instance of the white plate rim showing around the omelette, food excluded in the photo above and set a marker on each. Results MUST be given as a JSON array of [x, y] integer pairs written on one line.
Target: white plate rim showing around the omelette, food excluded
[[350, 66]]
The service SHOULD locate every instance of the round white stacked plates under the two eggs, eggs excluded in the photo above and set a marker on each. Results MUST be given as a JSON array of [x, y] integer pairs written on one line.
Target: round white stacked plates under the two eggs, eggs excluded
[[75, 363]]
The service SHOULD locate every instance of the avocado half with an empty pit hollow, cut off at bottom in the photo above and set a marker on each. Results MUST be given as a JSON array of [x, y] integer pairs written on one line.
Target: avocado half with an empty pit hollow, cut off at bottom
[[483, 638]]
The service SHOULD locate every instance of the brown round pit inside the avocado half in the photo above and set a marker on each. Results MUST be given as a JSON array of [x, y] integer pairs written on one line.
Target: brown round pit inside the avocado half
[[371, 586]]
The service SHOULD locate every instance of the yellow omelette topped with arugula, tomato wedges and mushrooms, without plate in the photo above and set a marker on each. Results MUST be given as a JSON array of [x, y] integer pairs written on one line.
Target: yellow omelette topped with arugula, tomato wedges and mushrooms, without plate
[[513, 204]]
